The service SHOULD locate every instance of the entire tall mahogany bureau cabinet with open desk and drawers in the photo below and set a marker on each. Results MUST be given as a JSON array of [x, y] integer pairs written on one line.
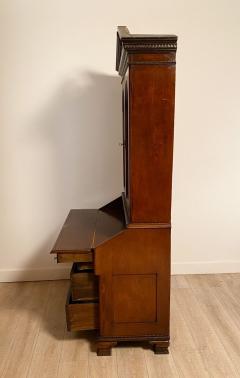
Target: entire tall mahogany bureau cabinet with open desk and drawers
[[120, 279]]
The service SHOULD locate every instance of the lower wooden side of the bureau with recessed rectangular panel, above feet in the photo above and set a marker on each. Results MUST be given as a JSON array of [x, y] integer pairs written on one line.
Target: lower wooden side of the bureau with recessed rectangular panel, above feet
[[134, 270]]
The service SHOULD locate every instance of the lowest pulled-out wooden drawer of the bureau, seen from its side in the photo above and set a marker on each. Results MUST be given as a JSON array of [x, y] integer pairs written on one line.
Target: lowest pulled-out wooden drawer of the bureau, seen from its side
[[81, 315]]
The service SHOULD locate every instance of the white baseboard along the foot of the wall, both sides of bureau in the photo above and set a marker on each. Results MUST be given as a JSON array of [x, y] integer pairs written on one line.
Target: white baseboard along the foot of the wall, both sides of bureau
[[57, 273]]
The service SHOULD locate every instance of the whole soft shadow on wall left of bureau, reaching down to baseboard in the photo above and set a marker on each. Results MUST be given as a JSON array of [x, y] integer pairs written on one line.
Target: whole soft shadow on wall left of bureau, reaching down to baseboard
[[73, 160]]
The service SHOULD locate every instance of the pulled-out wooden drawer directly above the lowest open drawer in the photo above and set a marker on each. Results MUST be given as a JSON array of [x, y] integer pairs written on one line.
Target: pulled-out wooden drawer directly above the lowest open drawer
[[84, 283]]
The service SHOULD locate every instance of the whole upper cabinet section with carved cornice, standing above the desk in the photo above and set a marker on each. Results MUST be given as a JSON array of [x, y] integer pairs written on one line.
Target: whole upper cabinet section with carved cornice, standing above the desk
[[146, 64]]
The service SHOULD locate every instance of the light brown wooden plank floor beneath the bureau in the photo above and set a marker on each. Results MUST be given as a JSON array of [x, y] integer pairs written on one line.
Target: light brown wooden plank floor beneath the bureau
[[205, 334]]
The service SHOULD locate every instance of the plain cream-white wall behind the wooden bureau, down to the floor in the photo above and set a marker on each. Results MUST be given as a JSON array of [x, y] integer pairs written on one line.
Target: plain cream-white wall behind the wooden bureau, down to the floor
[[60, 125]]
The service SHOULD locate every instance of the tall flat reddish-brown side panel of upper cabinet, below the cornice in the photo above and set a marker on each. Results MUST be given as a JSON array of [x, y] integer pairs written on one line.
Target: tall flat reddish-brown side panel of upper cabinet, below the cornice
[[152, 89]]
